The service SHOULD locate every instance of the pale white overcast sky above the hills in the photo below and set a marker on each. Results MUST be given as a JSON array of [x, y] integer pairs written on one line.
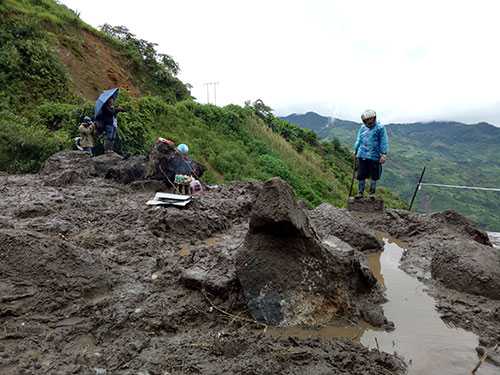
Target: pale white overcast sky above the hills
[[409, 60]]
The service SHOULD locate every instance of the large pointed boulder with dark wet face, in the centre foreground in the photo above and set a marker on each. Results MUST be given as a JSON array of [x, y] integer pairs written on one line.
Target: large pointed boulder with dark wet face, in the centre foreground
[[286, 274]]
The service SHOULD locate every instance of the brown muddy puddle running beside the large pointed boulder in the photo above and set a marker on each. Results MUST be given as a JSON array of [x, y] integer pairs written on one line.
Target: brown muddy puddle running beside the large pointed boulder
[[421, 337]]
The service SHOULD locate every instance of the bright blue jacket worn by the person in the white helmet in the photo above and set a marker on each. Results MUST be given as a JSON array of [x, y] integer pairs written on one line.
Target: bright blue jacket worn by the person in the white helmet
[[371, 142]]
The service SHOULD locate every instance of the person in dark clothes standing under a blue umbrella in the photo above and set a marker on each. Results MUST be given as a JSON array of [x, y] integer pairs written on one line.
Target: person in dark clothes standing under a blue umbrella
[[106, 116]]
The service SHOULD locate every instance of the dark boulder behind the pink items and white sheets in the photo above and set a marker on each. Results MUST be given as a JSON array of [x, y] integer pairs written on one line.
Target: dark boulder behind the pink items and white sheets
[[165, 161]]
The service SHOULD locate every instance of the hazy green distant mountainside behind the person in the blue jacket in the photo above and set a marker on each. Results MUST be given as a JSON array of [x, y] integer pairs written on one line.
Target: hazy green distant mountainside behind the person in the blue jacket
[[453, 154]]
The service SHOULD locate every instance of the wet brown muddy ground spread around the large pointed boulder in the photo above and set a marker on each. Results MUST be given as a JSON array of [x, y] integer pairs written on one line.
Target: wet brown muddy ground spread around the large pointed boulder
[[94, 281]]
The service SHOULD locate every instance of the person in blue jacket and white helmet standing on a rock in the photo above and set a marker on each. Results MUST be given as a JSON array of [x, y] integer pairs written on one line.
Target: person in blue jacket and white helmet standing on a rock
[[371, 149]]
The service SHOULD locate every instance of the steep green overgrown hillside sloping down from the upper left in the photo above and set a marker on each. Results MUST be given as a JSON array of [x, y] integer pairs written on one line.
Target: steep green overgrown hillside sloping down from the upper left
[[41, 110]]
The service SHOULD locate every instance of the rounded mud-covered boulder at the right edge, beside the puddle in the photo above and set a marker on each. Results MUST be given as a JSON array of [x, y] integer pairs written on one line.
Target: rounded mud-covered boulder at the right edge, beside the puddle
[[467, 266]]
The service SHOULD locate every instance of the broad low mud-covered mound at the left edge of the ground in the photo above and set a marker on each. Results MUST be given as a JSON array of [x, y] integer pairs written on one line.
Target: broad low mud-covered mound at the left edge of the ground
[[42, 273]]
